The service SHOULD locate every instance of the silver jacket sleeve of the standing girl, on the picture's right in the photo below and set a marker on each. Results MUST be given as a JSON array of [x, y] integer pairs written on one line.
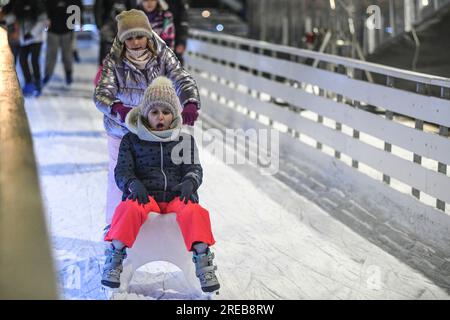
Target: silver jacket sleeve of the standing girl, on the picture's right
[[185, 85]]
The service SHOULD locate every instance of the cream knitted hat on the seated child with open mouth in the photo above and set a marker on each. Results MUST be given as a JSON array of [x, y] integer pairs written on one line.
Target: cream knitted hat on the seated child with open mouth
[[162, 93]]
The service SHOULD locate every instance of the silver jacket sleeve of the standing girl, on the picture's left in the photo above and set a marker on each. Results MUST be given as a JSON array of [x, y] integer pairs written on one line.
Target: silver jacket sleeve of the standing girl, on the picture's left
[[106, 89]]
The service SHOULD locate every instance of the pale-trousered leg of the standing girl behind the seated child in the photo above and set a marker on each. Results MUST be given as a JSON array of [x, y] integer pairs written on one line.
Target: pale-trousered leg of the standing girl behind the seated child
[[113, 194]]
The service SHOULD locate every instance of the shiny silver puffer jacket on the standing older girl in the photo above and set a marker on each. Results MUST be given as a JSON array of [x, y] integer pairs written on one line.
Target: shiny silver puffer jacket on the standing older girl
[[122, 82]]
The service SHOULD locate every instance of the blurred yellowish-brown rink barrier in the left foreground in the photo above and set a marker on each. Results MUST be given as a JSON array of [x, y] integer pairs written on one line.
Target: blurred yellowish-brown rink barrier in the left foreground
[[26, 267]]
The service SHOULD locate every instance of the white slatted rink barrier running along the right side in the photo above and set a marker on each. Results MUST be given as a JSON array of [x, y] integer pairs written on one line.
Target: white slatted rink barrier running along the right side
[[400, 136]]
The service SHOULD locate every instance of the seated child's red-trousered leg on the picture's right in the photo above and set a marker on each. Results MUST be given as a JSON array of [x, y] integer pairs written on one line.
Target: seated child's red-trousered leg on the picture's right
[[194, 222]]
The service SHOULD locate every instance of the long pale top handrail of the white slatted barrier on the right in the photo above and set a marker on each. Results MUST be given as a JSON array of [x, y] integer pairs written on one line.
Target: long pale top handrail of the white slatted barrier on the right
[[347, 62]]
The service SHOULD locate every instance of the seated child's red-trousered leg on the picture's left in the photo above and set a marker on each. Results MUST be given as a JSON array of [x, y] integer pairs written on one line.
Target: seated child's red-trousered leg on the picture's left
[[128, 220]]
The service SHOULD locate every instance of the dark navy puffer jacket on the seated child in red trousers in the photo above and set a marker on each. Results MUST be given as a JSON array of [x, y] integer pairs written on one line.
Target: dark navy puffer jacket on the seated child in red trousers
[[151, 160]]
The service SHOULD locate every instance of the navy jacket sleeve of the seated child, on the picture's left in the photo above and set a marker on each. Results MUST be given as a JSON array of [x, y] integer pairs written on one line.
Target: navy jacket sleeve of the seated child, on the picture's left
[[124, 172]]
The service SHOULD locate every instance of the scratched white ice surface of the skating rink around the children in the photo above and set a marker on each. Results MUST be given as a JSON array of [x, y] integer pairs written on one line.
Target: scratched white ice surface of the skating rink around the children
[[264, 250]]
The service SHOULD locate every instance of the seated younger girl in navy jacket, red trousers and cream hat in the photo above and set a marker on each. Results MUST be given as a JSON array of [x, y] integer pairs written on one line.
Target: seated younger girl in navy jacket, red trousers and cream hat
[[155, 178]]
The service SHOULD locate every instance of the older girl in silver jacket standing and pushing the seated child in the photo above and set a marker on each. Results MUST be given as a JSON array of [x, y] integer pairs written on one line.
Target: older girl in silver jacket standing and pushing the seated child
[[137, 57]]
